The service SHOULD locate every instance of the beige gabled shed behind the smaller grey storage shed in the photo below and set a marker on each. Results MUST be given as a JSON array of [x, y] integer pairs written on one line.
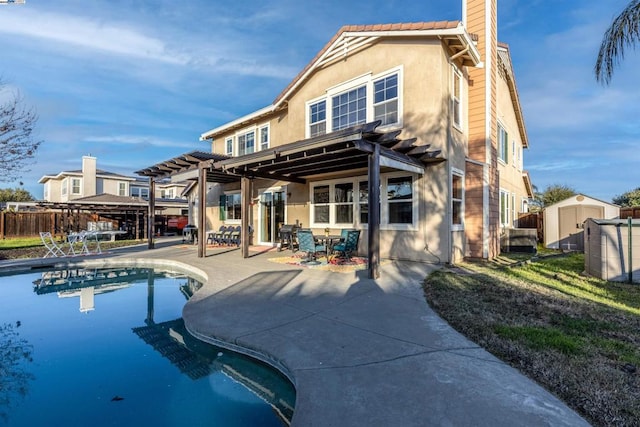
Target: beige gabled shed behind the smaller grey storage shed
[[563, 221]]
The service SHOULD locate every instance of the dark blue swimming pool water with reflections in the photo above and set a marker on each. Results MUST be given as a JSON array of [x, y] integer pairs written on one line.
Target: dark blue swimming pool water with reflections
[[109, 348]]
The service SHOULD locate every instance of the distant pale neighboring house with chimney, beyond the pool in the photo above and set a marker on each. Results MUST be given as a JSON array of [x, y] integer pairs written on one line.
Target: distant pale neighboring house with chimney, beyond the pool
[[89, 181]]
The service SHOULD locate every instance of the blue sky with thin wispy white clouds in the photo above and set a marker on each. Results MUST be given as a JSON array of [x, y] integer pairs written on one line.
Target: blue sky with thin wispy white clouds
[[136, 82]]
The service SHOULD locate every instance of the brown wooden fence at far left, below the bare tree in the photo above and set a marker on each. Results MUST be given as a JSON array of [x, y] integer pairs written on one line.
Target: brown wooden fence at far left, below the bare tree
[[30, 224]]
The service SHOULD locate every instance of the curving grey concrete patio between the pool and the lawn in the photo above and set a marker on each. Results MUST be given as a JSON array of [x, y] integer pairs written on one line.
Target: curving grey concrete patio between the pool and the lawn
[[360, 352]]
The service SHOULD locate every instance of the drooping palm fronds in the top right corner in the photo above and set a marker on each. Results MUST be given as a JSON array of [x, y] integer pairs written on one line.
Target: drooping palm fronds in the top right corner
[[623, 32]]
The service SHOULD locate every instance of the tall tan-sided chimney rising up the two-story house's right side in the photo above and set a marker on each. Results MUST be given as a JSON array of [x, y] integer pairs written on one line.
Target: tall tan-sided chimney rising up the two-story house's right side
[[482, 208]]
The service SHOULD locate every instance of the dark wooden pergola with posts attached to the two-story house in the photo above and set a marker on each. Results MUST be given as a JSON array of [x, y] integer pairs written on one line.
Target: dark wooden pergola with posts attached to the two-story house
[[360, 147]]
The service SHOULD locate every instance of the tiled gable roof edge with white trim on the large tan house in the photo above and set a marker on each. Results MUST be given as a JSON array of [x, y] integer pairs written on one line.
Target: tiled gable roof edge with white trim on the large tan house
[[353, 38]]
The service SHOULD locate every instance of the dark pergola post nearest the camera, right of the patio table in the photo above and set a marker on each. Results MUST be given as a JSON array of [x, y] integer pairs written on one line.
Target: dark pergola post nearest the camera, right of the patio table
[[374, 213]]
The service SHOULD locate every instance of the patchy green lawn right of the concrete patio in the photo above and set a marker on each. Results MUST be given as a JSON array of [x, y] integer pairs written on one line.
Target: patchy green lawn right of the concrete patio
[[577, 336]]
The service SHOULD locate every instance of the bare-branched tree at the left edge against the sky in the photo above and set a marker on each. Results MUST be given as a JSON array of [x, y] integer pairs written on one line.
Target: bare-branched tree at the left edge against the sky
[[17, 145]]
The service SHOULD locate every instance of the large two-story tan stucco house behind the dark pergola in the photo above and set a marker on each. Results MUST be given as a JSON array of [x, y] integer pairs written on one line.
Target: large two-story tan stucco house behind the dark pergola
[[448, 87]]
